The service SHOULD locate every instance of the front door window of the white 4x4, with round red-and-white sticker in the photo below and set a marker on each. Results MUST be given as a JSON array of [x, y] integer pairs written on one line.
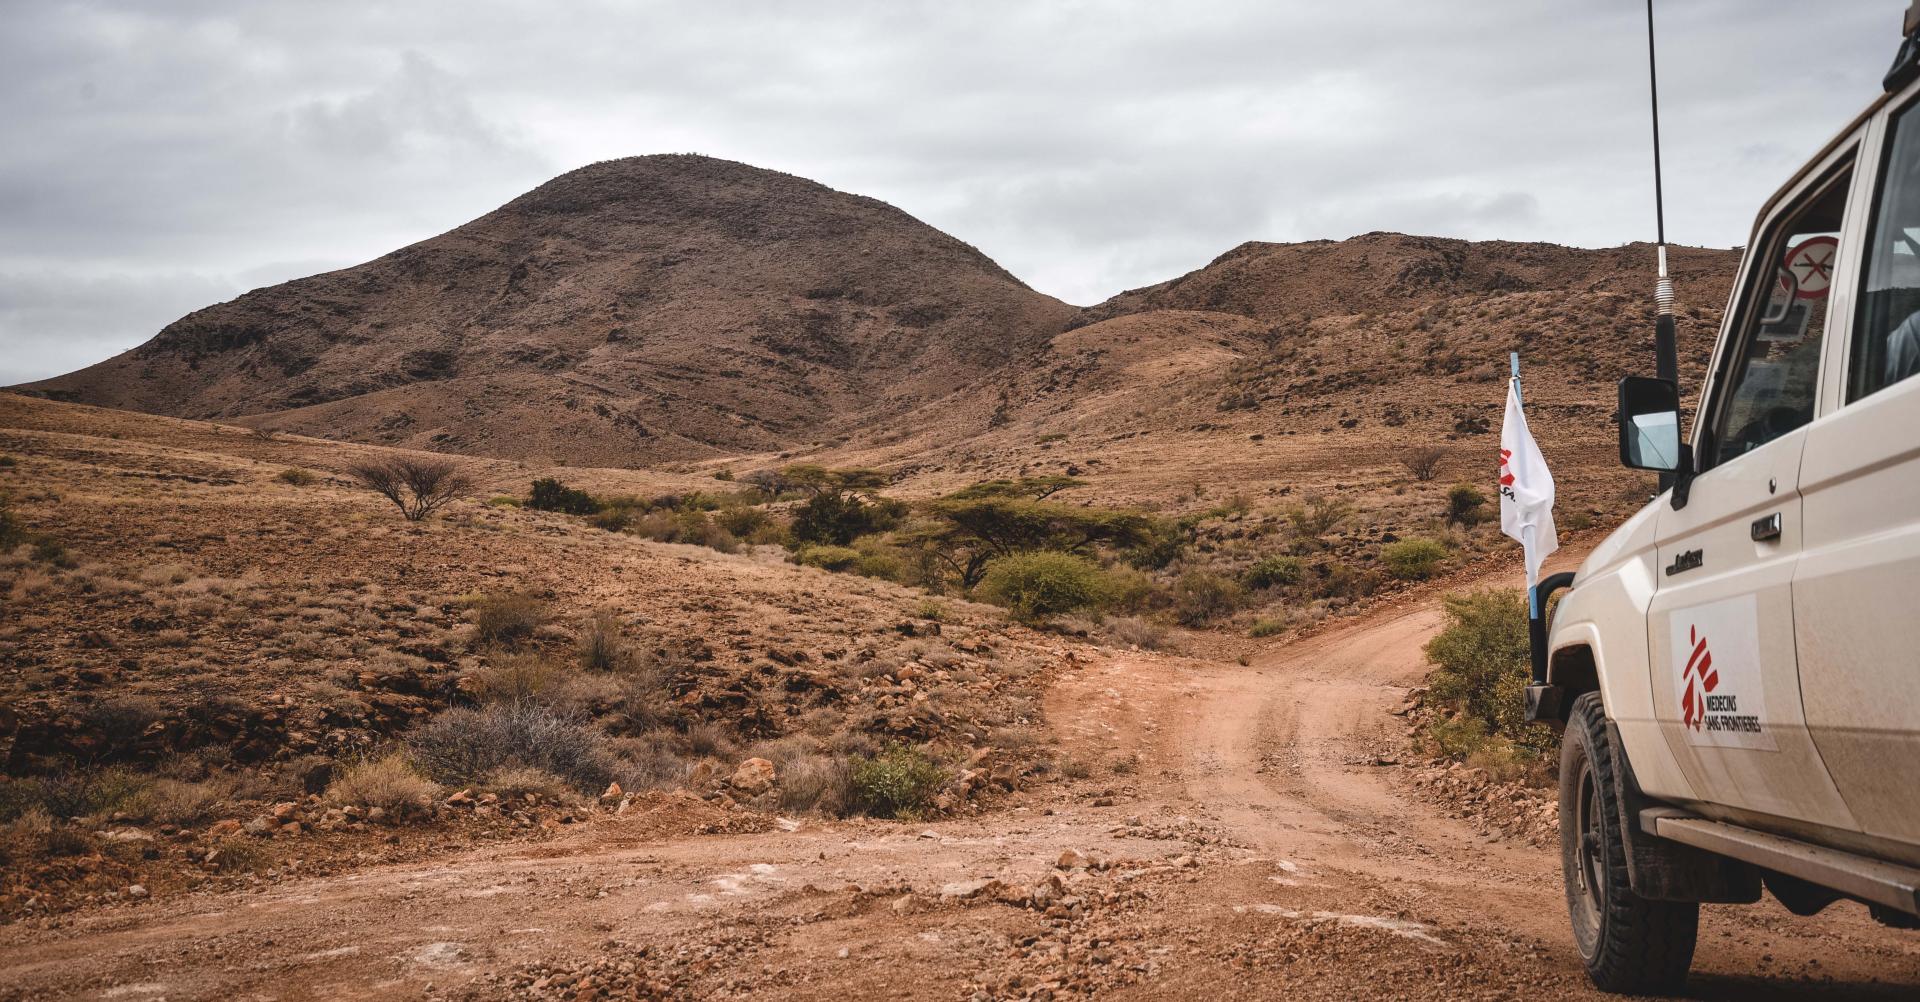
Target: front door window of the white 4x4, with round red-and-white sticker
[[1775, 370]]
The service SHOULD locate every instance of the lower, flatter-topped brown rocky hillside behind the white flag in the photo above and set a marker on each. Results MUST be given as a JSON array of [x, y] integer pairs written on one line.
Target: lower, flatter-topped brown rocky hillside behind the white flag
[[1314, 368]]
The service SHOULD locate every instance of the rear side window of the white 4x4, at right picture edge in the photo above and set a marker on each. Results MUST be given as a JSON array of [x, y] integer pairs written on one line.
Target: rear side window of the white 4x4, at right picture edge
[[1886, 343]]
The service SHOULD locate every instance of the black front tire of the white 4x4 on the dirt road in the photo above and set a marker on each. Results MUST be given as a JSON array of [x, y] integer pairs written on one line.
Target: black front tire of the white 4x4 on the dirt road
[[1629, 943]]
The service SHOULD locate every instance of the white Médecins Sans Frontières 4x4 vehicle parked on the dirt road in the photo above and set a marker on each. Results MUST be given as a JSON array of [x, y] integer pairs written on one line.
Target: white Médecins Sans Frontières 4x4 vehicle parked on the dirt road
[[1739, 667]]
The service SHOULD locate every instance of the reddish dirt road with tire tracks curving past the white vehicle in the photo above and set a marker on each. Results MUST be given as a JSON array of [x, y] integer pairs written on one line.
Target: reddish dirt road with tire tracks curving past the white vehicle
[[1234, 836]]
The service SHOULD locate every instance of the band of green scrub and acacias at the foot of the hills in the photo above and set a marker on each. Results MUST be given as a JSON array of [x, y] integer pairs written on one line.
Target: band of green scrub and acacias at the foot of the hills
[[1026, 546]]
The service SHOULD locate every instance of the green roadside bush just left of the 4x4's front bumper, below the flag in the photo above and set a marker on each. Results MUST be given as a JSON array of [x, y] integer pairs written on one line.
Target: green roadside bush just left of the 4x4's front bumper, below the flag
[[1481, 667]]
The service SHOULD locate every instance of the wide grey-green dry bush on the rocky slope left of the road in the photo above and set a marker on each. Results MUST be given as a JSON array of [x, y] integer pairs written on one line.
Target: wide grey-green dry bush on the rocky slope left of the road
[[466, 746]]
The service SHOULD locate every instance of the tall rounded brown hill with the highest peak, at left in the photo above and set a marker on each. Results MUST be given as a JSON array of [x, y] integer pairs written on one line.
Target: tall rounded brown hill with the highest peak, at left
[[631, 312]]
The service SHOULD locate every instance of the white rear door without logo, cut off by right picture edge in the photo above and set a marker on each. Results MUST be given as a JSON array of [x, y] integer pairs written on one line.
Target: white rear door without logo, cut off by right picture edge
[[1858, 584]]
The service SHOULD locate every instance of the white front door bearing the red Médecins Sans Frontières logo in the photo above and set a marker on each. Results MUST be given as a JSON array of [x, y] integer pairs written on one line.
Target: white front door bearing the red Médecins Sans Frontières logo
[[1721, 623]]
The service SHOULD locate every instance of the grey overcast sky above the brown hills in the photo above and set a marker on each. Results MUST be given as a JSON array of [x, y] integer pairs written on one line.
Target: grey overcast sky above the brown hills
[[162, 156]]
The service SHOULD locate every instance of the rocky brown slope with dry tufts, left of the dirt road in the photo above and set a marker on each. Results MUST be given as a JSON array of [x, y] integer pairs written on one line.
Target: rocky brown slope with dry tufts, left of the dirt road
[[231, 640]]
